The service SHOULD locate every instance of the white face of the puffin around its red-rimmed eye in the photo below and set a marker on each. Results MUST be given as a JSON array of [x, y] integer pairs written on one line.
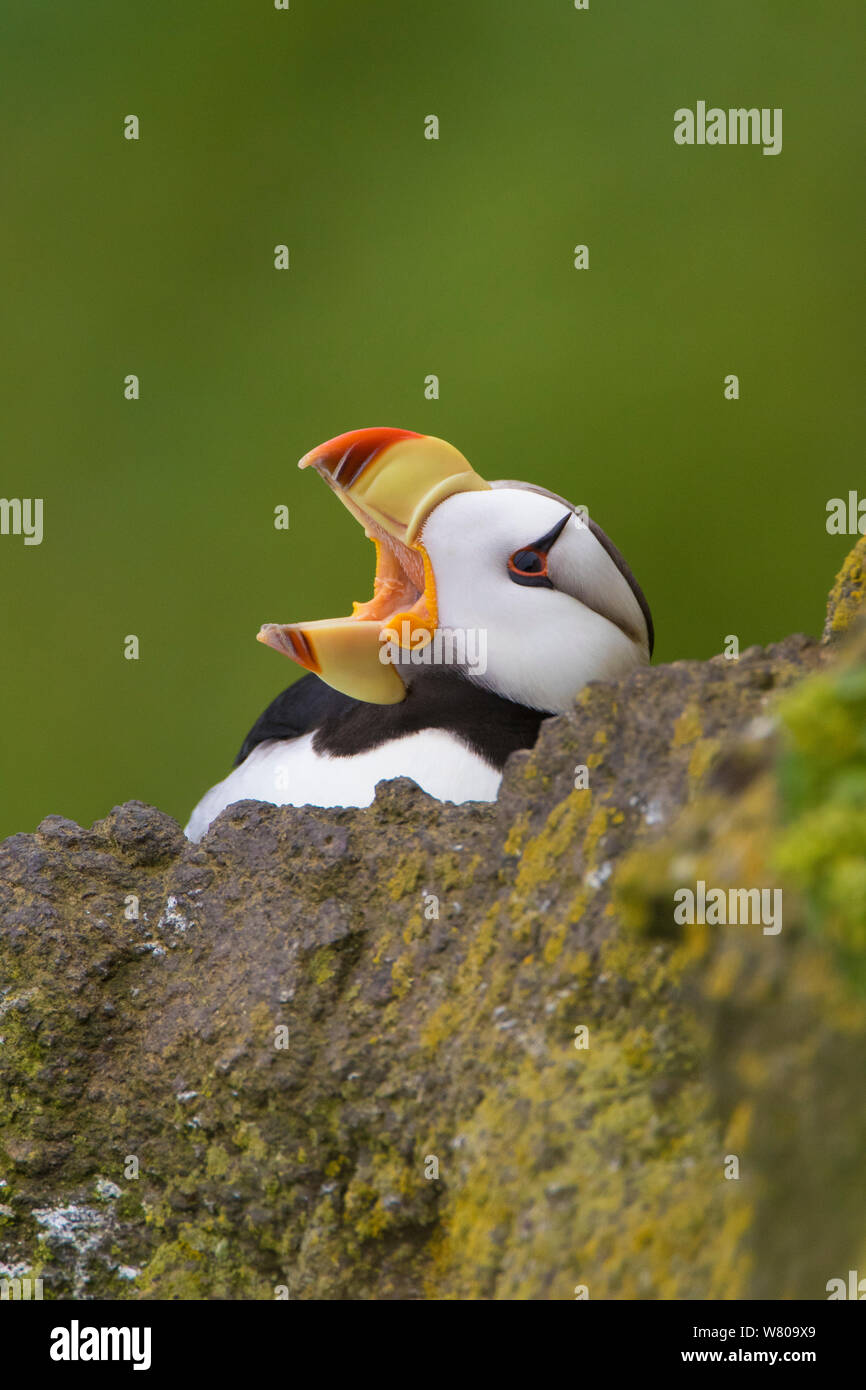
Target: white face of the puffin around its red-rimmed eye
[[543, 643]]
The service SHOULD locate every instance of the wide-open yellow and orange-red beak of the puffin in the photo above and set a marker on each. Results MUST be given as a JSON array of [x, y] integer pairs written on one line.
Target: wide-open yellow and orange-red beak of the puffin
[[391, 480]]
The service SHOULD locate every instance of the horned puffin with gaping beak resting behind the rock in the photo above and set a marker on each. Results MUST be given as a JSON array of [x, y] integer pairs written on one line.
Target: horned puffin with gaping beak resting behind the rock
[[493, 605]]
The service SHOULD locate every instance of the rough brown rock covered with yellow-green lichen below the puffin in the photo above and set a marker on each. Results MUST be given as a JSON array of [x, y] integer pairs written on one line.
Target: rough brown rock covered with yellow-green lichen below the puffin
[[433, 1052]]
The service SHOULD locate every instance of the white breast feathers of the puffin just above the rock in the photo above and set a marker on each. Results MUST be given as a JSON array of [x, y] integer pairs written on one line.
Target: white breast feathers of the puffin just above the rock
[[290, 774]]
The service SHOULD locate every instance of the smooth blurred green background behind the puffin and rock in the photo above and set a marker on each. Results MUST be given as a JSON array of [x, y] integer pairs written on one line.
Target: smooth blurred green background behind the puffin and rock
[[408, 258]]
